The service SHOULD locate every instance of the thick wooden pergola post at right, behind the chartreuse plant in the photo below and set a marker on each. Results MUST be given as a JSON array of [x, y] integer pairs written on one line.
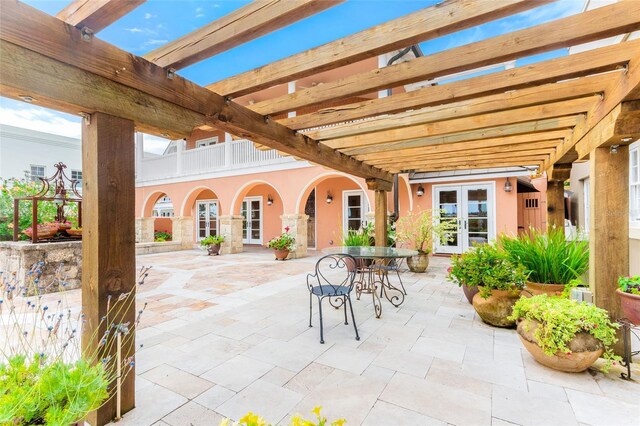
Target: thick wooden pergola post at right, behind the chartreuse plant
[[608, 226]]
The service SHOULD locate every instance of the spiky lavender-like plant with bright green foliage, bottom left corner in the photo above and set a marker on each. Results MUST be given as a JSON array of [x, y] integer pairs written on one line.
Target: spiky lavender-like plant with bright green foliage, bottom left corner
[[44, 377]]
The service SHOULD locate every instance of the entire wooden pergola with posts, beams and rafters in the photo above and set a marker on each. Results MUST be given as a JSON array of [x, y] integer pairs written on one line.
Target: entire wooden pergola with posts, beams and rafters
[[547, 114]]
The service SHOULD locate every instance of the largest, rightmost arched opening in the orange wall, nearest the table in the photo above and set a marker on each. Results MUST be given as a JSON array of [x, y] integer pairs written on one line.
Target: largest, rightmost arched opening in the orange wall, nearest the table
[[334, 203]]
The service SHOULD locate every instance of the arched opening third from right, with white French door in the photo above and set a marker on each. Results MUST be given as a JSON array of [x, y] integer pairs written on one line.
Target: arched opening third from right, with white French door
[[204, 206]]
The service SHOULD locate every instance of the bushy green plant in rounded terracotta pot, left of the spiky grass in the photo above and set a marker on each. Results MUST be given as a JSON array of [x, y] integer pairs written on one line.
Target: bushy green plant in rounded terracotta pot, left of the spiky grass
[[499, 282]]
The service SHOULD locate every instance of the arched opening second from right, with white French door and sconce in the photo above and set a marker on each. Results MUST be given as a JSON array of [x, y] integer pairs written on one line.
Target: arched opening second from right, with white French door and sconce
[[261, 206]]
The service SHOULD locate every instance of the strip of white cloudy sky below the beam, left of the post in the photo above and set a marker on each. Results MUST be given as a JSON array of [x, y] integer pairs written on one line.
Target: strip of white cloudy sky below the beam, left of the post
[[28, 116]]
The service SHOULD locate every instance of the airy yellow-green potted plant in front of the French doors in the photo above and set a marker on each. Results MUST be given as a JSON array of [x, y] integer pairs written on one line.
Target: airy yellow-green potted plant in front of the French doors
[[417, 230]]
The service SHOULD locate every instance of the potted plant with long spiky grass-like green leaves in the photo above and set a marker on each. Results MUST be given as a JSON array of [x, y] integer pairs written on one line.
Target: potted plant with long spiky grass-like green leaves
[[549, 258]]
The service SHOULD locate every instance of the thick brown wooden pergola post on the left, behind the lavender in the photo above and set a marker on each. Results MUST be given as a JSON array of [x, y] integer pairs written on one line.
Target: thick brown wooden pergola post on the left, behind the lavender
[[108, 243]]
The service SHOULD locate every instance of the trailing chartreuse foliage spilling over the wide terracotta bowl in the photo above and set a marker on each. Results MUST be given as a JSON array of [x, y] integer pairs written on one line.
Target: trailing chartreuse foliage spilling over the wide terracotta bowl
[[561, 319]]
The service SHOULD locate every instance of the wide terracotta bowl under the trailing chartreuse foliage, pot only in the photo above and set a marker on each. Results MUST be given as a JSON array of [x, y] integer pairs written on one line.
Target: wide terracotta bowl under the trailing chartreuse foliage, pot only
[[585, 349]]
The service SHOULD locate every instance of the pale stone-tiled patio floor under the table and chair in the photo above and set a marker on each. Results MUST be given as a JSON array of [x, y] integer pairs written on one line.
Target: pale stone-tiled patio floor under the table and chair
[[226, 335]]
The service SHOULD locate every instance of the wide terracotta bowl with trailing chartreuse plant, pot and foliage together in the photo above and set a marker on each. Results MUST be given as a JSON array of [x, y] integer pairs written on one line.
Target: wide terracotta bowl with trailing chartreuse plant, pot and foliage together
[[564, 334]]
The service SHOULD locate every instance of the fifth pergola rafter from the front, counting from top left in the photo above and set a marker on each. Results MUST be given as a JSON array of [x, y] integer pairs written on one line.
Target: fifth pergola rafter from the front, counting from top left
[[568, 67]]
